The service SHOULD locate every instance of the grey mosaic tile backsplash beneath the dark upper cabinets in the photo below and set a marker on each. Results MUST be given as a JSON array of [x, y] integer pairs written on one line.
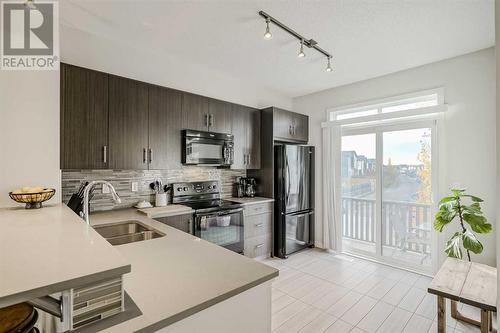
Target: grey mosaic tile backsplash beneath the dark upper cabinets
[[122, 182]]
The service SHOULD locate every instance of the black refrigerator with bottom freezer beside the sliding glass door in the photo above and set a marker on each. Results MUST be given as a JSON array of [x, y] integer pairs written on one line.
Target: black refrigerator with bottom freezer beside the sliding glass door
[[294, 199]]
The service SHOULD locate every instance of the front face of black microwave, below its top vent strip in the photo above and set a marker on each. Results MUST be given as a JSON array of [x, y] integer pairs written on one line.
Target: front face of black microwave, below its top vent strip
[[206, 151]]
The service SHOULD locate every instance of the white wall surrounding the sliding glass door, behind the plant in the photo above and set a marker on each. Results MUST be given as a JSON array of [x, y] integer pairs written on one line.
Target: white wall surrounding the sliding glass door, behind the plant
[[467, 146]]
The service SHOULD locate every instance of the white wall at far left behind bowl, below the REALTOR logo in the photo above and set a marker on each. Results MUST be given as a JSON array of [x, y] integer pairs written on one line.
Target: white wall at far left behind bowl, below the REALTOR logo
[[29, 132]]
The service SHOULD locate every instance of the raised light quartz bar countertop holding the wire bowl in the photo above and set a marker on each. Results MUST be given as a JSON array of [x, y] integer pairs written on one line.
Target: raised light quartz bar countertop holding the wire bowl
[[43, 251]]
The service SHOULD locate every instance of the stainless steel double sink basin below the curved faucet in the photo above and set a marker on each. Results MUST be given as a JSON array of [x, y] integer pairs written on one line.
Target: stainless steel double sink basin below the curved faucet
[[127, 232]]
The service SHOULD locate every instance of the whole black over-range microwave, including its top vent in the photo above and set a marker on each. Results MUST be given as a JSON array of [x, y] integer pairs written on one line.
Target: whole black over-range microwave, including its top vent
[[207, 148]]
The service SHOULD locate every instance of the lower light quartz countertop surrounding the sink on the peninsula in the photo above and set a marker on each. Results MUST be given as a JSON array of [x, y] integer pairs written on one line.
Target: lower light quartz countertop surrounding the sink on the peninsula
[[178, 275]]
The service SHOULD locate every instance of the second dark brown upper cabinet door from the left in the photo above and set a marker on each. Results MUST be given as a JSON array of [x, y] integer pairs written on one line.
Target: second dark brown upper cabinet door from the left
[[128, 124]]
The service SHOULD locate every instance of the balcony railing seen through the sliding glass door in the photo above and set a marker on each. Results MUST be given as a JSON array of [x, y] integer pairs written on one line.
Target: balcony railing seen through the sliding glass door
[[404, 225]]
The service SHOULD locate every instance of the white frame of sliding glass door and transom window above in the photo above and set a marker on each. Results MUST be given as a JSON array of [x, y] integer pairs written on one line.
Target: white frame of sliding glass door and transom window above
[[392, 121]]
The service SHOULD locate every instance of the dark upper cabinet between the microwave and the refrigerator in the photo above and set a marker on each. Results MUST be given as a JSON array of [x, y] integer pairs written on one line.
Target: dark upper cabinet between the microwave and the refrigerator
[[246, 131]]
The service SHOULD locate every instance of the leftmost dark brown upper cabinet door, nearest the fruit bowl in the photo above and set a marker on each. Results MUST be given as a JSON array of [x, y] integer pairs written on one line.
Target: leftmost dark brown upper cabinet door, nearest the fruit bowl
[[84, 118]]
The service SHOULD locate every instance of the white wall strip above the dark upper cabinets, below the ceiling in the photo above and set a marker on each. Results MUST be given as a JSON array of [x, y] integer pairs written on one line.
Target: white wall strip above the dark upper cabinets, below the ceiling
[[90, 51]]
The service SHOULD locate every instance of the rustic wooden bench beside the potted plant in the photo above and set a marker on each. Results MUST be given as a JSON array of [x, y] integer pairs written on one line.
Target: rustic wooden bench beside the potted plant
[[469, 283]]
